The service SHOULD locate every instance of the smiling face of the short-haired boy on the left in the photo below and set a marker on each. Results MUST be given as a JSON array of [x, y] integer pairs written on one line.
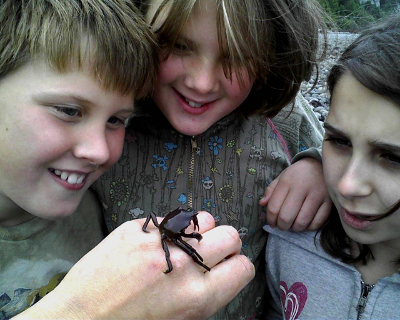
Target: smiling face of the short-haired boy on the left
[[58, 134]]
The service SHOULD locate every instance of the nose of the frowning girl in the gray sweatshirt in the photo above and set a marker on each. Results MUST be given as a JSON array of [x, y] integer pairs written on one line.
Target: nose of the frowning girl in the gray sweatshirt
[[355, 180]]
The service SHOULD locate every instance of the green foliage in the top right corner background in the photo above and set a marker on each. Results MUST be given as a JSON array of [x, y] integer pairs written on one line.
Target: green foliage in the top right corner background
[[354, 15]]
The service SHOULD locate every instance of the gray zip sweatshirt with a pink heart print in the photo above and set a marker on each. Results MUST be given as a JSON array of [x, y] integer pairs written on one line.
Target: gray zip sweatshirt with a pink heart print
[[307, 283]]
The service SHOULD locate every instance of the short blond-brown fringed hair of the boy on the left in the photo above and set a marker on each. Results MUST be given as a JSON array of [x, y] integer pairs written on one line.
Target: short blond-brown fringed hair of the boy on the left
[[121, 46]]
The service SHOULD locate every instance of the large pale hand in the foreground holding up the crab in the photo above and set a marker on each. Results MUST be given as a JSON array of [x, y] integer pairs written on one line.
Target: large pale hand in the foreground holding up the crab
[[123, 277]]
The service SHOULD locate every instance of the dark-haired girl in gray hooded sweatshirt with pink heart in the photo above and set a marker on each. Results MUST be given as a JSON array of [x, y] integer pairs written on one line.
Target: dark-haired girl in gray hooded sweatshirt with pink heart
[[352, 271]]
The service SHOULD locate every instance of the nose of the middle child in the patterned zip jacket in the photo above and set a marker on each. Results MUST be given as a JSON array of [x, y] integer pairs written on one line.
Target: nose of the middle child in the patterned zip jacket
[[203, 76]]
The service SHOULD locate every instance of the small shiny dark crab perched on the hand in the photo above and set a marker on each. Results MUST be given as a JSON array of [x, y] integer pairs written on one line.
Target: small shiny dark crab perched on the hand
[[172, 228]]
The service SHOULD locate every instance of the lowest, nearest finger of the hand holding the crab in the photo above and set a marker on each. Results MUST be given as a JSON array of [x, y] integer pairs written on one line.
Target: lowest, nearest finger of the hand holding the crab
[[226, 280]]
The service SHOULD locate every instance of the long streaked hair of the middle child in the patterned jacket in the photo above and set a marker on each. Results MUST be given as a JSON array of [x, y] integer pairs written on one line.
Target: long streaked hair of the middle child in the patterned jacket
[[275, 40]]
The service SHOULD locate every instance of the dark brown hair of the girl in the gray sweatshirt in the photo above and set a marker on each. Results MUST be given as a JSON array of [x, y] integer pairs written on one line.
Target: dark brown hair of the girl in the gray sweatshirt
[[374, 60]]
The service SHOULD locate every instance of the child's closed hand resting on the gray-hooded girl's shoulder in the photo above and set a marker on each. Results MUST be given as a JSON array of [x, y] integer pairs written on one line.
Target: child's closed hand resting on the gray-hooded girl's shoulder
[[298, 198]]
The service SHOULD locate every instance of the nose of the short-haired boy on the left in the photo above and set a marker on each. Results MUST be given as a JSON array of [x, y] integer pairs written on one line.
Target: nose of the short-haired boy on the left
[[92, 145]]
